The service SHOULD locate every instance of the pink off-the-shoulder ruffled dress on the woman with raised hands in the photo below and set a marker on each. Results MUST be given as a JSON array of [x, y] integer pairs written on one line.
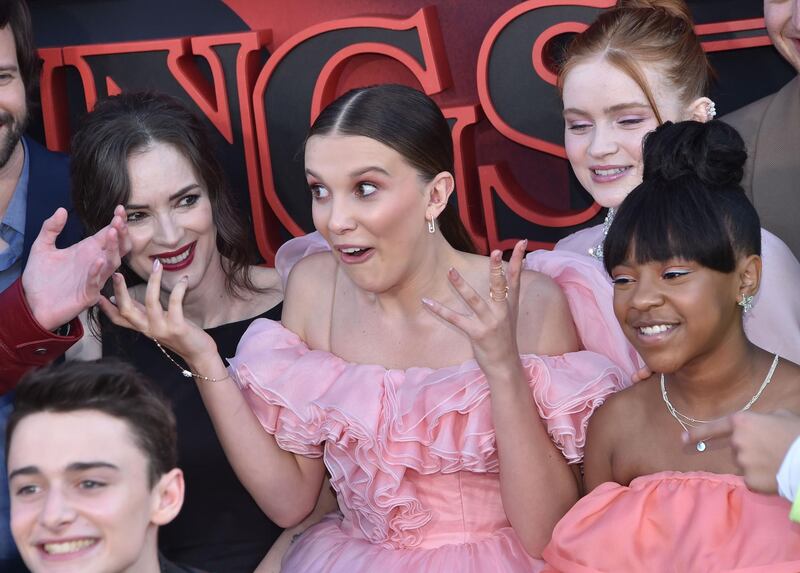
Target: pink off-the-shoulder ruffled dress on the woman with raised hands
[[411, 453]]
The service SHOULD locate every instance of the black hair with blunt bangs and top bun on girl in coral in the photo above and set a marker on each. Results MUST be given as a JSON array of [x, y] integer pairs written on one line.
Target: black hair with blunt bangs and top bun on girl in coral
[[690, 204]]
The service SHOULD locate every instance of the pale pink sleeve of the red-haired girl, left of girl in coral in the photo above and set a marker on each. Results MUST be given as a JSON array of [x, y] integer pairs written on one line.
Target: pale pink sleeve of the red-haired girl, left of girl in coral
[[590, 296]]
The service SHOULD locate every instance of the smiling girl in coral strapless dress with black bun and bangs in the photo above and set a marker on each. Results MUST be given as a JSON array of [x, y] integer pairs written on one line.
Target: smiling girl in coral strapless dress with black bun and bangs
[[684, 254]]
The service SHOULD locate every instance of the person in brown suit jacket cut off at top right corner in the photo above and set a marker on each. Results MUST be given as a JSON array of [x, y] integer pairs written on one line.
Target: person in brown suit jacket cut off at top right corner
[[771, 130]]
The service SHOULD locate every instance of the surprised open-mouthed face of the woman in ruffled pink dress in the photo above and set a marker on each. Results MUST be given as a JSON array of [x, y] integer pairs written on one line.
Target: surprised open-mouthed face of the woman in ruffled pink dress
[[369, 204]]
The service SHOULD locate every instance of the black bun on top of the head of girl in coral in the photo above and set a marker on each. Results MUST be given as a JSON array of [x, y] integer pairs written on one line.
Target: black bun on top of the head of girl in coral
[[712, 152]]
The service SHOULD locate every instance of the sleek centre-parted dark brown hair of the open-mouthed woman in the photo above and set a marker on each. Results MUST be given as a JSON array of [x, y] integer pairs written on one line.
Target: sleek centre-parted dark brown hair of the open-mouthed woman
[[407, 121]]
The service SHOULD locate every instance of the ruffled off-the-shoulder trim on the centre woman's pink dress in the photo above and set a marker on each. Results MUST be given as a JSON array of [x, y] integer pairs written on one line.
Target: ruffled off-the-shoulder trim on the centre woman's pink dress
[[379, 423]]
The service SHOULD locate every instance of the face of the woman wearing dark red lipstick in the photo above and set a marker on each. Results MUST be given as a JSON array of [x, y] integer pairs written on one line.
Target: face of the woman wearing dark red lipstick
[[169, 217]]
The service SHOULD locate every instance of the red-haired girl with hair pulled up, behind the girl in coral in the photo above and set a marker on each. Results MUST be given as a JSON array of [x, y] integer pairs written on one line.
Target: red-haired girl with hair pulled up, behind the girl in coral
[[638, 65]]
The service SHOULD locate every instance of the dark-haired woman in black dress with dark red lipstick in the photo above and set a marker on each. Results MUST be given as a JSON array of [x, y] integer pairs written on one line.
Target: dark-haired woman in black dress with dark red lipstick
[[149, 153]]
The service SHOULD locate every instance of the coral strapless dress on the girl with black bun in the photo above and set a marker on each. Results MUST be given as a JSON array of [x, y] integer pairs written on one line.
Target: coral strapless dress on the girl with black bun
[[694, 522]]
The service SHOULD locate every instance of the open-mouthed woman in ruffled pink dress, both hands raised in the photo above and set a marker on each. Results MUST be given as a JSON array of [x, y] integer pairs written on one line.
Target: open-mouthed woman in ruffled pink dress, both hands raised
[[366, 376]]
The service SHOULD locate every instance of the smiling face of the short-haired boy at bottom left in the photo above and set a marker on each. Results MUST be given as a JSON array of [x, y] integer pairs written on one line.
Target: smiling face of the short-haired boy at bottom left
[[80, 496]]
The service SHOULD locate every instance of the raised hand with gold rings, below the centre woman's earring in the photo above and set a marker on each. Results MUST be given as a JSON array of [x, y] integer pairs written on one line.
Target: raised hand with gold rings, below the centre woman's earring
[[491, 323]]
